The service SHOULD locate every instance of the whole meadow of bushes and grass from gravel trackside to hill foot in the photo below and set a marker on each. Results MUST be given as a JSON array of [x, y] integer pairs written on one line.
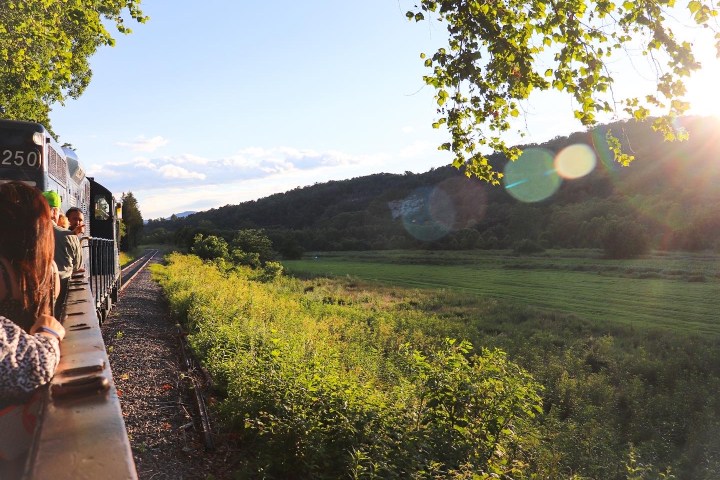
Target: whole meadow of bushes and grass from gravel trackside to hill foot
[[428, 365]]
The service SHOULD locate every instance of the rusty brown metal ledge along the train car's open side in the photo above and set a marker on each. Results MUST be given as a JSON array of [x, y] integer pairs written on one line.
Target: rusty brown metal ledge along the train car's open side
[[80, 431]]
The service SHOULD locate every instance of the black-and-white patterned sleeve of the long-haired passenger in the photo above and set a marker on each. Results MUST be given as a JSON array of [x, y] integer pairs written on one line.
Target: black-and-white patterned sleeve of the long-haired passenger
[[26, 361]]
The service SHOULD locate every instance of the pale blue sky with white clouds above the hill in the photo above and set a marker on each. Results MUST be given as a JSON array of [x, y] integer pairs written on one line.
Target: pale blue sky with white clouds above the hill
[[220, 102]]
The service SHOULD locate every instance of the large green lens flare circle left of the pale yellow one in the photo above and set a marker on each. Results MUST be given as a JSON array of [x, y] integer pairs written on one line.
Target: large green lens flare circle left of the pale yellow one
[[532, 177]]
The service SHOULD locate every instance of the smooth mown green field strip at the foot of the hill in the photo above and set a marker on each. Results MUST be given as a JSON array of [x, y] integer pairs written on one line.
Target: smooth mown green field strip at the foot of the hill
[[679, 292]]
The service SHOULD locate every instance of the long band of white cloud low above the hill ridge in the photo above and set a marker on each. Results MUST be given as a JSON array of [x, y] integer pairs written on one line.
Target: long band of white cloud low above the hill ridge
[[176, 183]]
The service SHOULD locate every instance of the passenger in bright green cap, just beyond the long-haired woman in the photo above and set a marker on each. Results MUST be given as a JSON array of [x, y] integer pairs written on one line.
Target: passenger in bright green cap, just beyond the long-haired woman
[[68, 254]]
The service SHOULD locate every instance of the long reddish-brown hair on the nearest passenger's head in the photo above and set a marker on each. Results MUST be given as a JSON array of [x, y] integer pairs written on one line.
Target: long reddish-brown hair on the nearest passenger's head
[[28, 243]]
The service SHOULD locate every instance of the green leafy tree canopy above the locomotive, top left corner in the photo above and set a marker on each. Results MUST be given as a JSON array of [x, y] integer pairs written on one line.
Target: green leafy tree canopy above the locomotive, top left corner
[[45, 47]]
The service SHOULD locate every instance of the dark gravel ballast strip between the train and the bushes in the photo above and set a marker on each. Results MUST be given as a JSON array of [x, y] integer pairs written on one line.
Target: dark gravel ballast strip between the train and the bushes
[[158, 409]]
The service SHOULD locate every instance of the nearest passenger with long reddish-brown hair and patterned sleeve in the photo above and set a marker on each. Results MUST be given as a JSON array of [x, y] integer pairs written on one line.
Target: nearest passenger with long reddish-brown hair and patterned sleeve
[[29, 335]]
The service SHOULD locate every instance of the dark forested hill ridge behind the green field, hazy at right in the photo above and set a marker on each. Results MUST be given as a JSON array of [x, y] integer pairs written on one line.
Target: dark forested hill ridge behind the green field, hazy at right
[[669, 197]]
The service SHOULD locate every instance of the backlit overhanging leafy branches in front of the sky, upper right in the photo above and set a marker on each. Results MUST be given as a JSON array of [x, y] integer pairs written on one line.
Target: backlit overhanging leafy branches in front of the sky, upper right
[[500, 52]]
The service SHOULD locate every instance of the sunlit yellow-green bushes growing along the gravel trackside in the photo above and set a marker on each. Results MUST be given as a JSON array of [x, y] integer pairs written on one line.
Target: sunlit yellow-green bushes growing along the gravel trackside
[[318, 390]]
